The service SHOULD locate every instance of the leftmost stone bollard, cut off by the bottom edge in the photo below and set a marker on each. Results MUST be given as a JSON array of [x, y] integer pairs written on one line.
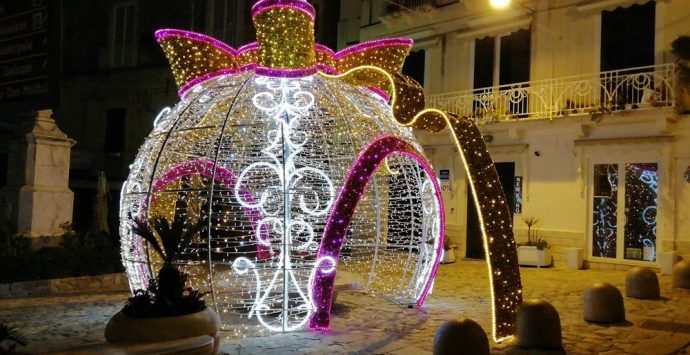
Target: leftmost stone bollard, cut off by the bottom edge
[[460, 337]]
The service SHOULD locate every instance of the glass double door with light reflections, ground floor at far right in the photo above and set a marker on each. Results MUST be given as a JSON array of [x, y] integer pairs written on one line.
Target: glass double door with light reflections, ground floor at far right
[[624, 210]]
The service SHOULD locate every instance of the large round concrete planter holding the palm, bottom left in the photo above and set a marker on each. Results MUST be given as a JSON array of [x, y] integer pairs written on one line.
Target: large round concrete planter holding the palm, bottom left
[[125, 329]]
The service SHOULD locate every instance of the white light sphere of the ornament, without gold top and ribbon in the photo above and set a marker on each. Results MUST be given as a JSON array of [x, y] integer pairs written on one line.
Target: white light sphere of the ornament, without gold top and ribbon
[[261, 162]]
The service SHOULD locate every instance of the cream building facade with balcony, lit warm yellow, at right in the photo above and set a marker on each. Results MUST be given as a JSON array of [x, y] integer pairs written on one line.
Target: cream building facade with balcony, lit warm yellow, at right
[[576, 102]]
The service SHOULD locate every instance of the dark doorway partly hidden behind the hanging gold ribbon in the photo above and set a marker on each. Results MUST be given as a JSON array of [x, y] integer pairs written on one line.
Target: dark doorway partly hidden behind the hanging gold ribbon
[[475, 244]]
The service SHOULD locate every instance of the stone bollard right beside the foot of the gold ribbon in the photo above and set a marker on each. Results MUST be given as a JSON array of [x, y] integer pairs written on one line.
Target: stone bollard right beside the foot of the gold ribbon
[[538, 325]]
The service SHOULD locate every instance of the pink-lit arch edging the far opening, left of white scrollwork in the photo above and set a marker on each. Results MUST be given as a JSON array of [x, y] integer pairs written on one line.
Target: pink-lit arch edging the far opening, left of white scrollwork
[[224, 177]]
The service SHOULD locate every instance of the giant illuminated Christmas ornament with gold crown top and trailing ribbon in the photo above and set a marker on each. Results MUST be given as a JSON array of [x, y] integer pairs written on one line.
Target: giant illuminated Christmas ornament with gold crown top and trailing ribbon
[[301, 163]]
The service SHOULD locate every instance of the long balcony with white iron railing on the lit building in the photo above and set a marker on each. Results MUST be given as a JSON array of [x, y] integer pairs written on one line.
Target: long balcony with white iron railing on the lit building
[[642, 88]]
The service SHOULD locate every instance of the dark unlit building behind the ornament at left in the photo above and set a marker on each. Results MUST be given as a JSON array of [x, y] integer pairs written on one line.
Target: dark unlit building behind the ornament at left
[[108, 79]]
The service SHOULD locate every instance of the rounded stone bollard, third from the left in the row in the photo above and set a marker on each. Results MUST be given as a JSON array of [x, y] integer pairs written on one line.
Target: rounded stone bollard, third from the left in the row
[[603, 303]]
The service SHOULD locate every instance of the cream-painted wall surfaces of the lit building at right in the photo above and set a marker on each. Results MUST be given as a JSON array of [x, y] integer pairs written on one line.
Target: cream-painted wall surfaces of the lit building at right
[[565, 41]]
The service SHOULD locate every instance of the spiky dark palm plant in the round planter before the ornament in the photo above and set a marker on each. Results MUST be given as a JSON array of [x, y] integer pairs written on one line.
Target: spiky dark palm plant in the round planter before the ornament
[[166, 295]]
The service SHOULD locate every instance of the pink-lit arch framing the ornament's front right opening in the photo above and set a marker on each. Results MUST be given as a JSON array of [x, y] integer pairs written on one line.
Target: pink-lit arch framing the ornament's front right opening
[[342, 213]]
